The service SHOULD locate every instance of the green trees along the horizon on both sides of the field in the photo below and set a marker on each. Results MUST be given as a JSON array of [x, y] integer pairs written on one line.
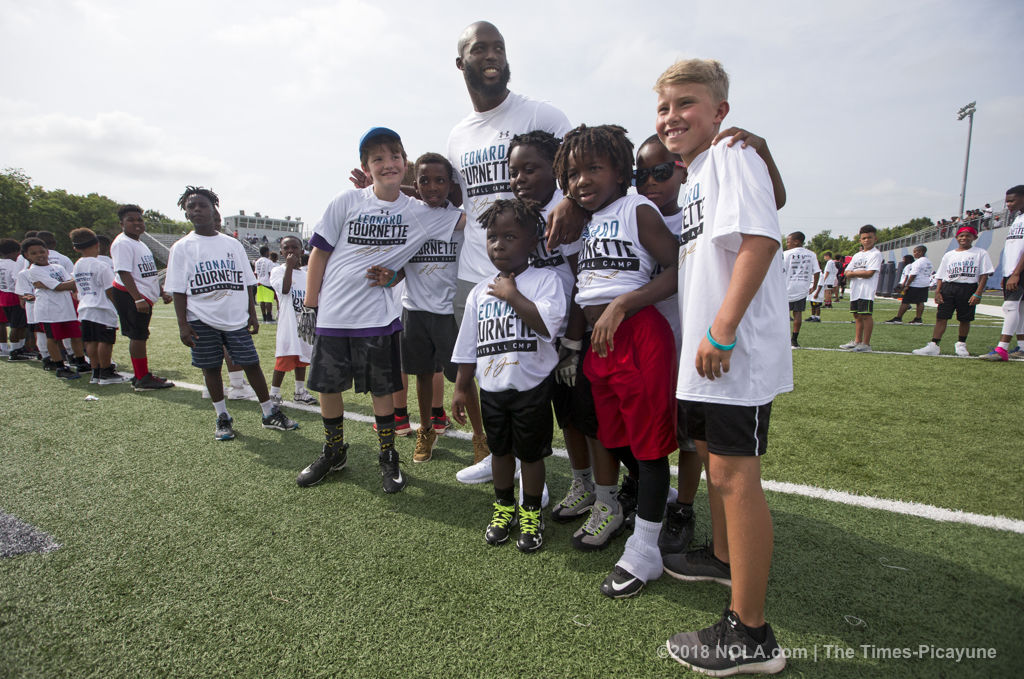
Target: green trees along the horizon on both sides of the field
[[26, 207]]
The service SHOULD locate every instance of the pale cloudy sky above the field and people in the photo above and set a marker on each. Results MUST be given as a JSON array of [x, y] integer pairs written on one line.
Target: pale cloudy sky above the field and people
[[266, 102]]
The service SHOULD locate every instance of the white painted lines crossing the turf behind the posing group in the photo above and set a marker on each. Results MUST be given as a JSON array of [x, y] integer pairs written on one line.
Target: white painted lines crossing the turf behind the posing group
[[841, 497]]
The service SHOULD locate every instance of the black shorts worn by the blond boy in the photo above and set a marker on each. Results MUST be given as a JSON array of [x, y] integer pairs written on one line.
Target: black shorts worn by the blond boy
[[741, 431]]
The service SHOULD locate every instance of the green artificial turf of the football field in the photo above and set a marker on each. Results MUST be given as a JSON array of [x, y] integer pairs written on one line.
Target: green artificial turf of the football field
[[185, 557]]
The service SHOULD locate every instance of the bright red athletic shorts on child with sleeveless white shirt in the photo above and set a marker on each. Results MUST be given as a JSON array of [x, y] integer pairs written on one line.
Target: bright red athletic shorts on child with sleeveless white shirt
[[634, 388]]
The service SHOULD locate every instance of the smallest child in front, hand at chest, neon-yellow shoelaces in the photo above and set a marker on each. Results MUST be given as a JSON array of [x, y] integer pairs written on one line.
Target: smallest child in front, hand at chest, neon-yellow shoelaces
[[507, 343]]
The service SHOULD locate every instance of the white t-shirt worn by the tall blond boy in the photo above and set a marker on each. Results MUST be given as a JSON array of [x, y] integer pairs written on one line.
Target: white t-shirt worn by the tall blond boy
[[729, 195]]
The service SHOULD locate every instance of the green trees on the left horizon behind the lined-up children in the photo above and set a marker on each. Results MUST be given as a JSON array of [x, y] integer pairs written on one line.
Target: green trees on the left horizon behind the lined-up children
[[25, 207]]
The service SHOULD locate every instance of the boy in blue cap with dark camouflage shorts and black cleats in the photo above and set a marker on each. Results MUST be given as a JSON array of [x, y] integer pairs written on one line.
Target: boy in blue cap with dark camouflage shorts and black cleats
[[365, 234]]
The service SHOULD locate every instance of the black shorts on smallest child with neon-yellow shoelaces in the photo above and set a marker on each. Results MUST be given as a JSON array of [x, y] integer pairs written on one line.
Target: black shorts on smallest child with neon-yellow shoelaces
[[519, 423]]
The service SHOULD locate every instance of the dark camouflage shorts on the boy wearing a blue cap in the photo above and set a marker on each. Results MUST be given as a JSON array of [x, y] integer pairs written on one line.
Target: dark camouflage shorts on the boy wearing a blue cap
[[371, 364]]
